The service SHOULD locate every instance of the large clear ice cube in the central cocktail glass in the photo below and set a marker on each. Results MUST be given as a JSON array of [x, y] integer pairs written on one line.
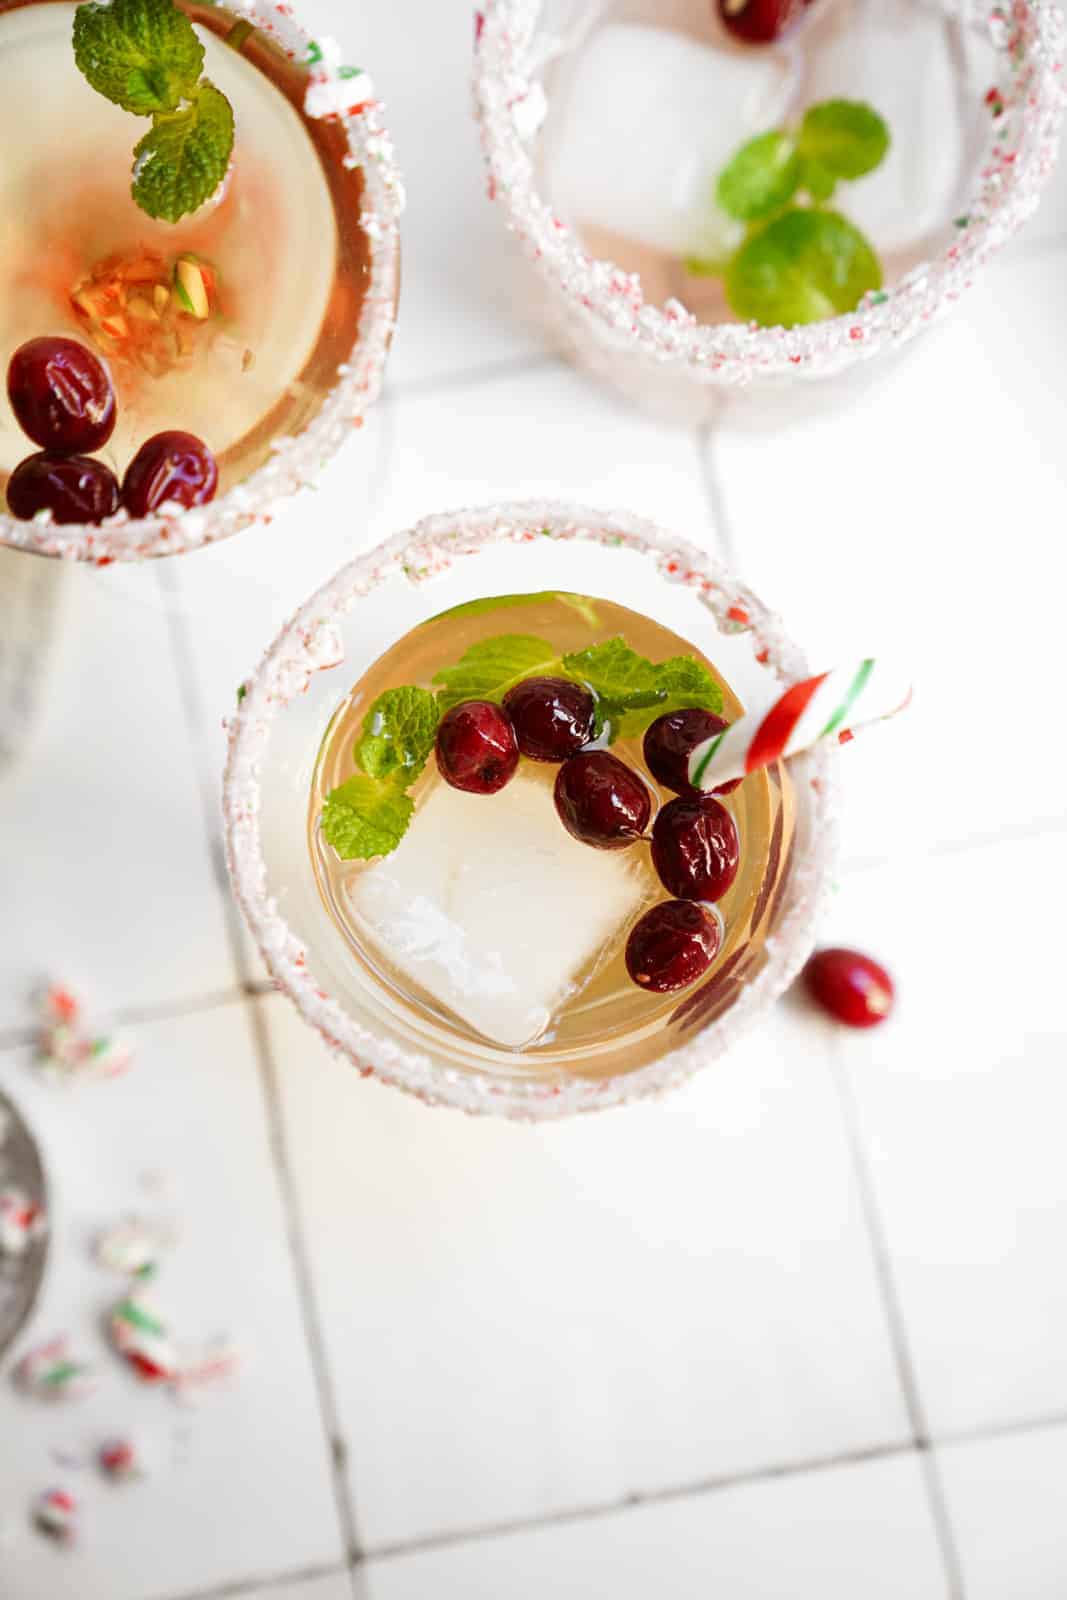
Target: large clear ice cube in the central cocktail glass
[[494, 910]]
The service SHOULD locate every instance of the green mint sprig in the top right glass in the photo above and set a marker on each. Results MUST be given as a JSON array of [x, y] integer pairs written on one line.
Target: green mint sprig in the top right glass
[[801, 263]]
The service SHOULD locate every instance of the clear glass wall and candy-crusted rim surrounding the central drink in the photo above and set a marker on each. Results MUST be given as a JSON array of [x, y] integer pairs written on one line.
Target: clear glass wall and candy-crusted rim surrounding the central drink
[[278, 735]]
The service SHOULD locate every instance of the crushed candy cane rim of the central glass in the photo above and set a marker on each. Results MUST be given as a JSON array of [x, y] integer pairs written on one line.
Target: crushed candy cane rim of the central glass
[[311, 641]]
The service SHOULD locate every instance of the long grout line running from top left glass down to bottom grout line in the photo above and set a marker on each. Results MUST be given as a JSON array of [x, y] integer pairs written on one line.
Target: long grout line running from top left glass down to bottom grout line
[[270, 1087]]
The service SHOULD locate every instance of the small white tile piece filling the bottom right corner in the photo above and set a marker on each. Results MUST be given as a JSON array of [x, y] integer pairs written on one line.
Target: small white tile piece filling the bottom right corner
[[1007, 1502]]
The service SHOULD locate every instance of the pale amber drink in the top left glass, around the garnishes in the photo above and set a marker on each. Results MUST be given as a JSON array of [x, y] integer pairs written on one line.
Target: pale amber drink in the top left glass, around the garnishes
[[78, 257]]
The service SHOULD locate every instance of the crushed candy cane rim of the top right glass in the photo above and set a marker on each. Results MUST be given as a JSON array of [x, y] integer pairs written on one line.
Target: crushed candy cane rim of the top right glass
[[1026, 113]]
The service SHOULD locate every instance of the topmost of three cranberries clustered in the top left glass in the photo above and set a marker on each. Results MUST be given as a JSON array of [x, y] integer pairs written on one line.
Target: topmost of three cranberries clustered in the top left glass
[[62, 396]]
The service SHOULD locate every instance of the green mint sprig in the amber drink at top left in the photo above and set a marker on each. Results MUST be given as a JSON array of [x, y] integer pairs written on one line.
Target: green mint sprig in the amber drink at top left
[[145, 57]]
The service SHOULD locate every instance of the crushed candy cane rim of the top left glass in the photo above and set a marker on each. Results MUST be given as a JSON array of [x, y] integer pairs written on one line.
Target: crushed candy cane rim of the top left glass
[[338, 94]]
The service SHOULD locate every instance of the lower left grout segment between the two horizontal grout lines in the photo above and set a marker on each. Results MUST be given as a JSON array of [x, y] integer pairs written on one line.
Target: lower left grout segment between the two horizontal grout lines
[[305, 1284]]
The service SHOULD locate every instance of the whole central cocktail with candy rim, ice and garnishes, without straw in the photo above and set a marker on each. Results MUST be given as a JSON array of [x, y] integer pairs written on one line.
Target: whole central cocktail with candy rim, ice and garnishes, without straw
[[476, 953]]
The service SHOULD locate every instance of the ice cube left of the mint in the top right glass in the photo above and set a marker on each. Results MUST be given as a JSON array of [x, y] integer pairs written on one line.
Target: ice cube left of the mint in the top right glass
[[644, 121]]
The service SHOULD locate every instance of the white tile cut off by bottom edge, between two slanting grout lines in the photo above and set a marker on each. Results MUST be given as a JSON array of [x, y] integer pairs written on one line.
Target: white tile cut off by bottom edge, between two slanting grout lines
[[836, 1535]]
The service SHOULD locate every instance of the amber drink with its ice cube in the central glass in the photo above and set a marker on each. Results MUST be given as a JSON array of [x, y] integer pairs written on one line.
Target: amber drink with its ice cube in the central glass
[[506, 863]]
